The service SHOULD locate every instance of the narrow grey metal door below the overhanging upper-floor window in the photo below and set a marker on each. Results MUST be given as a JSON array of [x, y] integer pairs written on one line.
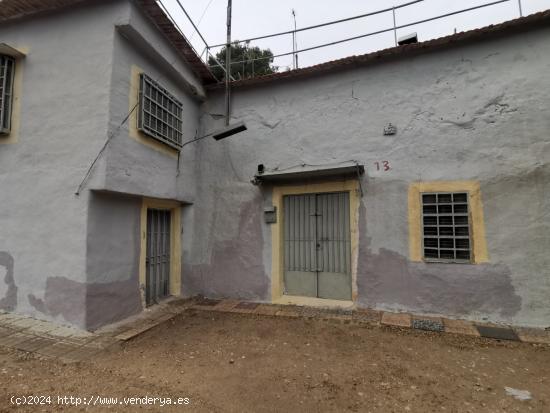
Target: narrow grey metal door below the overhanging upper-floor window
[[157, 260]]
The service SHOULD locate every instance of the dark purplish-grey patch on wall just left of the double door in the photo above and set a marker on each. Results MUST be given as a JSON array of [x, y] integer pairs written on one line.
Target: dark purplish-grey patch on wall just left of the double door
[[236, 267]]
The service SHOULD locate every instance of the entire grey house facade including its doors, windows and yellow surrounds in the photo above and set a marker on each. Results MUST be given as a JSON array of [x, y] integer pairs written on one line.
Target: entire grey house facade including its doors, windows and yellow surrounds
[[412, 179]]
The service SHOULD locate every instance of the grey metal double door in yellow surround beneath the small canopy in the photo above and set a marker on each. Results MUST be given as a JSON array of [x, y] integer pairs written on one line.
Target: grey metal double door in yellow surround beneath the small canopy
[[317, 245]]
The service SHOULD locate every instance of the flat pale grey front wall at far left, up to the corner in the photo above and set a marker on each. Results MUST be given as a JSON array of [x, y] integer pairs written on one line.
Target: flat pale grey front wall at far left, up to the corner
[[64, 119]]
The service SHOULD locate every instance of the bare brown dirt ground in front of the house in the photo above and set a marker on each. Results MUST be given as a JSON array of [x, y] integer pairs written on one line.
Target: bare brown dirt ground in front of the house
[[245, 363]]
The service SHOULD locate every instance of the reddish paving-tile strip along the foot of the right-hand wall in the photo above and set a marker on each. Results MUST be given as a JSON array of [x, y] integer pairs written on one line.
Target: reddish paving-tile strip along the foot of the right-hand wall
[[375, 317]]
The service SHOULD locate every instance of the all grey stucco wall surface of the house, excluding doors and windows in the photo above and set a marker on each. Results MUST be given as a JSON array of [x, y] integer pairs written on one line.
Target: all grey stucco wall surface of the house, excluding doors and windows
[[475, 112]]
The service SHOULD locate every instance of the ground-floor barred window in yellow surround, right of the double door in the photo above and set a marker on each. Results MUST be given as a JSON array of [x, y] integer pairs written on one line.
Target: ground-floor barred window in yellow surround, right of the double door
[[446, 227]]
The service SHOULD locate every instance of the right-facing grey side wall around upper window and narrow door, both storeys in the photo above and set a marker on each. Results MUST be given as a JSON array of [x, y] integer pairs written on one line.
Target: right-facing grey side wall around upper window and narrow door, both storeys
[[129, 167]]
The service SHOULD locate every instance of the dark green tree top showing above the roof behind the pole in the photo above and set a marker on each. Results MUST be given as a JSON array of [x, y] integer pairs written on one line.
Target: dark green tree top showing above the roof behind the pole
[[246, 61]]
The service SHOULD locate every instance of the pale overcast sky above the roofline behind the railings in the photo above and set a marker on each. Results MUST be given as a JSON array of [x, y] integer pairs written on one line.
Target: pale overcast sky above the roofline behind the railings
[[251, 18]]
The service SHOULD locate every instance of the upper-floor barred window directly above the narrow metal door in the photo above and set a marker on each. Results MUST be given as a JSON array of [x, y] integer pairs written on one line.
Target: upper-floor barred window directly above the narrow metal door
[[160, 113]]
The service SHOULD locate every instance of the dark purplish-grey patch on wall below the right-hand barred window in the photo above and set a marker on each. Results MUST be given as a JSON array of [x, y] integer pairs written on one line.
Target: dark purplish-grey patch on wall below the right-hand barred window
[[390, 280]]
